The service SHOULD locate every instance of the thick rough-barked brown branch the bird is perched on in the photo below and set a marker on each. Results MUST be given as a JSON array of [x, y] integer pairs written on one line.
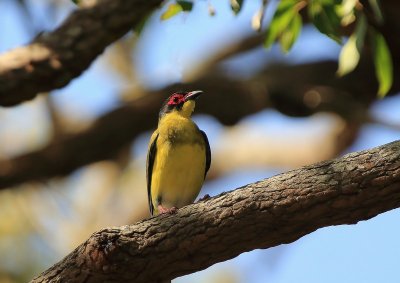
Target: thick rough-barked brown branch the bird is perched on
[[264, 214]]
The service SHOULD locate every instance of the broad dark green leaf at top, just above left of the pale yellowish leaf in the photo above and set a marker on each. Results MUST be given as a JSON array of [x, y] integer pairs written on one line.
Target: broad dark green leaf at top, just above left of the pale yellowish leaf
[[324, 15]]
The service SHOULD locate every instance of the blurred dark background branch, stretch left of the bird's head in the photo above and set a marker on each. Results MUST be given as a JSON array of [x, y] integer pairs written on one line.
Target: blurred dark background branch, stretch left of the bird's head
[[107, 135]]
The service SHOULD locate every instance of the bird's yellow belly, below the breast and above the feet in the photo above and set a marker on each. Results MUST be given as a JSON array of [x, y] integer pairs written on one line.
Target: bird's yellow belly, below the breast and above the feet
[[178, 174]]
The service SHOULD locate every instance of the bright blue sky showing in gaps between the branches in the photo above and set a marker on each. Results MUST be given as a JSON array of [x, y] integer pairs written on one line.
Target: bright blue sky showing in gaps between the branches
[[366, 252]]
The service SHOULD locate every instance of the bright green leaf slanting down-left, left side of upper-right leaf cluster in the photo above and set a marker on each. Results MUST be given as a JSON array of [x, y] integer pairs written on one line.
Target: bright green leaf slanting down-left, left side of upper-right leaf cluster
[[284, 14]]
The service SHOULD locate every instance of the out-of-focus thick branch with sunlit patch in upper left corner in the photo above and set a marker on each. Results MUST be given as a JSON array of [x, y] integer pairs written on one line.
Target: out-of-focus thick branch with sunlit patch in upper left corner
[[53, 59]]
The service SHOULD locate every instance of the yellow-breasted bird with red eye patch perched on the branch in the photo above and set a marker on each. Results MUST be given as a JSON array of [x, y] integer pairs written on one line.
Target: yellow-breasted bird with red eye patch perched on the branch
[[178, 157]]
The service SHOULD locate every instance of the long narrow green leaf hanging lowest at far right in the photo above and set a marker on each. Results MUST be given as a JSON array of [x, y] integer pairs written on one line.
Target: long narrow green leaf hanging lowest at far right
[[383, 62]]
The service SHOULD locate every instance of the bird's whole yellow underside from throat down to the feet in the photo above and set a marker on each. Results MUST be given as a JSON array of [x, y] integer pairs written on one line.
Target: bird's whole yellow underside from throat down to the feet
[[179, 164]]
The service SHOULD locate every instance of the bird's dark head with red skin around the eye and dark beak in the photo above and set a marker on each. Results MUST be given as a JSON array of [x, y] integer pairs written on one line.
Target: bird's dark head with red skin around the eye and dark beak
[[180, 101]]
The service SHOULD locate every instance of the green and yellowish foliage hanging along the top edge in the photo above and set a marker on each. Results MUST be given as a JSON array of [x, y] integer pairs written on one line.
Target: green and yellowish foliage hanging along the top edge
[[330, 17]]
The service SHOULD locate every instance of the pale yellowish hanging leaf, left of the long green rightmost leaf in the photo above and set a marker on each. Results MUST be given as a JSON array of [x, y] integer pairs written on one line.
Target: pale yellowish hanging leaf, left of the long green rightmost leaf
[[350, 53]]
